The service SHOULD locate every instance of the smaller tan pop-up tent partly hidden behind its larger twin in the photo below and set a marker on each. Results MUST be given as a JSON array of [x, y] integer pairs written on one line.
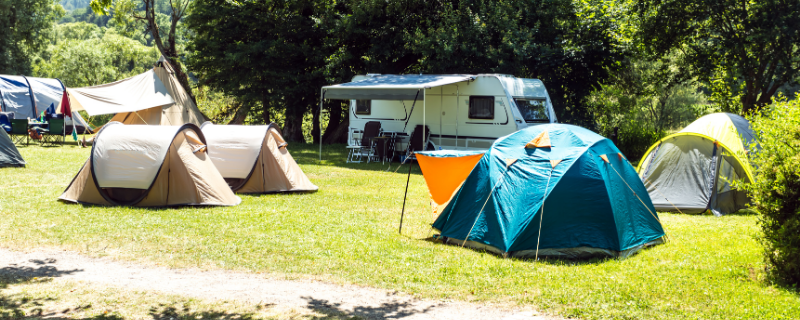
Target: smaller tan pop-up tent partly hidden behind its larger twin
[[254, 159]]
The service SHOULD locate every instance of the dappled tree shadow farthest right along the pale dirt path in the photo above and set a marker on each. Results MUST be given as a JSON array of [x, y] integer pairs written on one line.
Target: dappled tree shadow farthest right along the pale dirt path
[[391, 310]]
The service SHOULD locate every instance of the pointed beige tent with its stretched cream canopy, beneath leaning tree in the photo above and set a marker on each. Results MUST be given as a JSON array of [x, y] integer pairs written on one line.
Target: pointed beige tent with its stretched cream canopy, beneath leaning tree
[[154, 97]]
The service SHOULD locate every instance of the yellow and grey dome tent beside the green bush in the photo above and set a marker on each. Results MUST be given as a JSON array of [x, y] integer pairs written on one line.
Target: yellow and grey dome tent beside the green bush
[[691, 171]]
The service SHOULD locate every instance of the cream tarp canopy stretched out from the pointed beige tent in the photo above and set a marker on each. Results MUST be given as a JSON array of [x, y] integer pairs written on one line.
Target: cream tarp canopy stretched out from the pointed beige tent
[[136, 93]]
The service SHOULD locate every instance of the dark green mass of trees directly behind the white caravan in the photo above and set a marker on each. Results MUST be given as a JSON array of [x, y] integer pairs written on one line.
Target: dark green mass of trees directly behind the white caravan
[[281, 53]]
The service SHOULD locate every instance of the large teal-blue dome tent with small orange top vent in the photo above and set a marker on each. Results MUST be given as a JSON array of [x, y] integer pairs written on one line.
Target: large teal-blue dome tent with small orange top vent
[[551, 190]]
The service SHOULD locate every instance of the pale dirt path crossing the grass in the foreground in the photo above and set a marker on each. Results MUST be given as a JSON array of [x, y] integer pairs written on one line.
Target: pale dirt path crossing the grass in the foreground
[[364, 302]]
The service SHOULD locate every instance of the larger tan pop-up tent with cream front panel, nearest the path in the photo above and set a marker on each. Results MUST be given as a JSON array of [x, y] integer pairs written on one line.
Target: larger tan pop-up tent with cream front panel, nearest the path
[[149, 166]]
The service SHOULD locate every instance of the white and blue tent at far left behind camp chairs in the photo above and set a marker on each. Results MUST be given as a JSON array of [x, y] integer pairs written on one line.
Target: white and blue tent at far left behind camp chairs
[[28, 97]]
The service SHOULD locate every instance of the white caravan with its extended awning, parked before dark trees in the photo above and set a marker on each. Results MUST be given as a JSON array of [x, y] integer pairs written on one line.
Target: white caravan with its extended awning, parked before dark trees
[[461, 111]]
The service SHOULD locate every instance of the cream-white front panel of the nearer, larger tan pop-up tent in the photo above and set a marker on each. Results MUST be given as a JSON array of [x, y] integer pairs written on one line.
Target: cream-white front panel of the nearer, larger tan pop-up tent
[[125, 156]]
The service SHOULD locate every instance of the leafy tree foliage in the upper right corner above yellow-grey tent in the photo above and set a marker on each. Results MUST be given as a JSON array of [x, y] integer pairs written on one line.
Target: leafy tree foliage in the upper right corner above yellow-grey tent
[[749, 48]]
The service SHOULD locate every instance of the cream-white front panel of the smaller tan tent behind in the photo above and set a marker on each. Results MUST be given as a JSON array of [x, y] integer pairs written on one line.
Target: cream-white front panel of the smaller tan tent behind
[[235, 148]]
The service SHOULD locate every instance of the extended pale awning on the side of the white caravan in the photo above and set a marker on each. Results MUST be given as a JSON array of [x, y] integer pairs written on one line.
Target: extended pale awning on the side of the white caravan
[[390, 87]]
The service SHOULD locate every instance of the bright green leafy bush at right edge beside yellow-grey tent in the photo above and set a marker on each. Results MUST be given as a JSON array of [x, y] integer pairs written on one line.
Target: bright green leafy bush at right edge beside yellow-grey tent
[[776, 192]]
